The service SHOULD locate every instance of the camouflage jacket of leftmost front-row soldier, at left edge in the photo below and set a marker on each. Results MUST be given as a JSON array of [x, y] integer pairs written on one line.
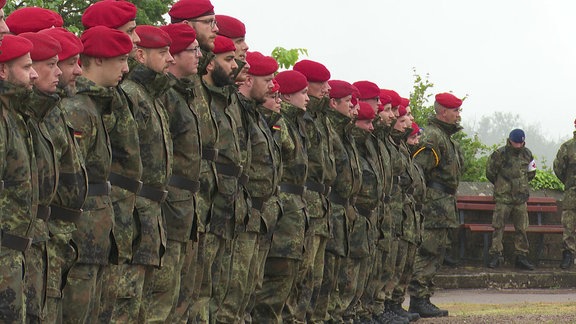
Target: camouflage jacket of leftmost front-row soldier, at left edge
[[19, 199]]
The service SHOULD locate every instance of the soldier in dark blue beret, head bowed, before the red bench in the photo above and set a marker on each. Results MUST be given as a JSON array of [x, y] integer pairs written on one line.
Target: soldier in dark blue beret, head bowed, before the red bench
[[509, 169]]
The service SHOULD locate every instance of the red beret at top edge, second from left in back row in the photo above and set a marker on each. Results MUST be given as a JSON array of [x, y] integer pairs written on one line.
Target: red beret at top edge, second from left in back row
[[109, 13]]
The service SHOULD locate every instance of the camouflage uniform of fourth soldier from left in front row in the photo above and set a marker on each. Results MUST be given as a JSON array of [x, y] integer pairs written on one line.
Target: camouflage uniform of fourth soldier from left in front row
[[84, 111]]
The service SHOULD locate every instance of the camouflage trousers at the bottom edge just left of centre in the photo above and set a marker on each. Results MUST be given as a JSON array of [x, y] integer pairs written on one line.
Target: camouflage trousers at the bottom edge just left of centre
[[279, 277]]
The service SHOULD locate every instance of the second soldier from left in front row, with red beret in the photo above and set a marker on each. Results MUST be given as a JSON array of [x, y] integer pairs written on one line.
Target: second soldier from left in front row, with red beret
[[44, 99]]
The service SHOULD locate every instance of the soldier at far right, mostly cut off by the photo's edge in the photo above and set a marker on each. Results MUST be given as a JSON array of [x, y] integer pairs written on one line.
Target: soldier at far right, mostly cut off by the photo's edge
[[565, 170]]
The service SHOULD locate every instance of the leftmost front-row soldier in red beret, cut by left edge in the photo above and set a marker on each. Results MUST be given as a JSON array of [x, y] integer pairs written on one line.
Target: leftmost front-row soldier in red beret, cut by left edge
[[19, 197]]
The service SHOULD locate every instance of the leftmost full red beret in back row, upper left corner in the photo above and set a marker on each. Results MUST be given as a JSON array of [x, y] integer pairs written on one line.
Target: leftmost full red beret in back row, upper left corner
[[32, 19]]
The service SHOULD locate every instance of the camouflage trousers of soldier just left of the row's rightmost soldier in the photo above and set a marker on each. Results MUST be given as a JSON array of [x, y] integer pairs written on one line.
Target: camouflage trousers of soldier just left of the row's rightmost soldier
[[404, 269]]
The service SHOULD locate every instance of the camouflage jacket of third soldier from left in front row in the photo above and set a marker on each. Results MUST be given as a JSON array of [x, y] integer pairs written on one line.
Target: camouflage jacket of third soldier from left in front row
[[72, 189]]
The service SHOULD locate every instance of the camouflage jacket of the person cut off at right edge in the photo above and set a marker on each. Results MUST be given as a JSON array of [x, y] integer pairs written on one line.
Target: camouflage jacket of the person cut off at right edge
[[565, 169]]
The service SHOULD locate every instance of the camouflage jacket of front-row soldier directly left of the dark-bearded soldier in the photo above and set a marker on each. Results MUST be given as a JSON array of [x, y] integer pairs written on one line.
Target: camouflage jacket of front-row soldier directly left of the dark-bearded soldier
[[179, 208]]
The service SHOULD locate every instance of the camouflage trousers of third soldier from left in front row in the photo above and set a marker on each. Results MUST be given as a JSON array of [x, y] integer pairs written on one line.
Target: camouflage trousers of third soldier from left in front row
[[61, 257]]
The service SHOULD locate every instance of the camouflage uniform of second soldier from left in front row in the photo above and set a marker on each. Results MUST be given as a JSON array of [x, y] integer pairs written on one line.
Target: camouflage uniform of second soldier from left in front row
[[34, 112]]
